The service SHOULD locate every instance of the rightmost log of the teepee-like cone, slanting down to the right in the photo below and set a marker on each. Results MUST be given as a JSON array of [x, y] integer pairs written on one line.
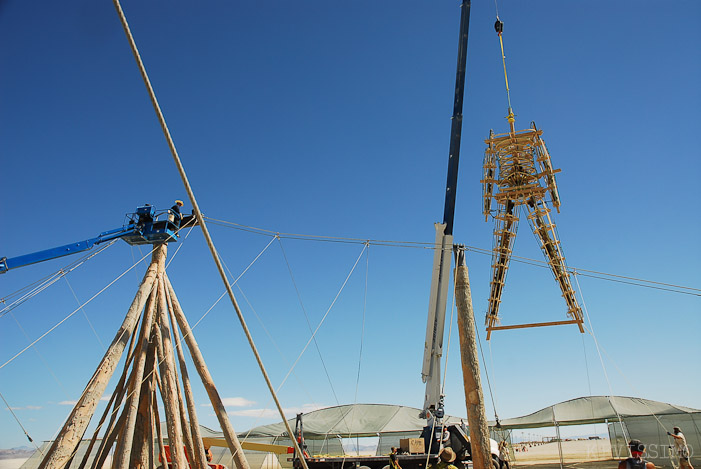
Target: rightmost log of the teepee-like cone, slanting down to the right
[[219, 409]]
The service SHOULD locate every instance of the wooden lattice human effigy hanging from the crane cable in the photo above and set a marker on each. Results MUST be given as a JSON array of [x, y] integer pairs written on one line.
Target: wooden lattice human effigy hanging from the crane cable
[[518, 171]]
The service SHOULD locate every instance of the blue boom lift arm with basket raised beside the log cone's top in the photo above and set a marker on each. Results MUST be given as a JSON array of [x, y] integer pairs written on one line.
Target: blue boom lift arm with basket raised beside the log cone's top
[[145, 226]]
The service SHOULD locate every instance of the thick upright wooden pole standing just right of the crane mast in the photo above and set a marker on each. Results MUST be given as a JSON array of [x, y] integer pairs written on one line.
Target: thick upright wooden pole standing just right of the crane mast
[[474, 400]]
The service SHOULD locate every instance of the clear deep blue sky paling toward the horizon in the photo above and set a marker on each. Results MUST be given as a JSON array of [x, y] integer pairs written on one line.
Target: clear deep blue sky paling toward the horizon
[[330, 118]]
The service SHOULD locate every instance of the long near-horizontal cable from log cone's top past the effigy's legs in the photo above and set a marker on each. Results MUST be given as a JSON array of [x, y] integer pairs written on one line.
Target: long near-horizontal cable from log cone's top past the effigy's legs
[[425, 245]]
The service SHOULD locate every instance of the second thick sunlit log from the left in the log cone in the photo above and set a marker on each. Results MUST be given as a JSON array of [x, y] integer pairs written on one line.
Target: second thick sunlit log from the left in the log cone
[[123, 453]]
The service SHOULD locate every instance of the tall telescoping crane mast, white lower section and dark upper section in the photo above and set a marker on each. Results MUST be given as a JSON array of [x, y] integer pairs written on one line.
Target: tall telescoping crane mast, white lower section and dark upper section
[[440, 280]]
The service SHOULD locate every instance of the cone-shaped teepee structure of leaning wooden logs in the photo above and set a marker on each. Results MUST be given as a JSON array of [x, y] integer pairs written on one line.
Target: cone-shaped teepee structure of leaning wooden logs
[[151, 331]]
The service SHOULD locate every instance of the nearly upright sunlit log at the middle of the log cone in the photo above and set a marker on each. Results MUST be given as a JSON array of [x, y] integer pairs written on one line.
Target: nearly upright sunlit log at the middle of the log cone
[[168, 386]]
